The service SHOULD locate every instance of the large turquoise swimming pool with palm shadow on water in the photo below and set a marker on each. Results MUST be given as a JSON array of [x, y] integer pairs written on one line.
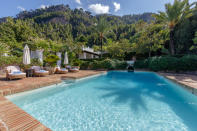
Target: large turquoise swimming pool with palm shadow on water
[[115, 101]]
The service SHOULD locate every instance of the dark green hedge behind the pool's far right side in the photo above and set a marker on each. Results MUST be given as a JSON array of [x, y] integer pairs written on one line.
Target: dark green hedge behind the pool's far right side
[[168, 63]]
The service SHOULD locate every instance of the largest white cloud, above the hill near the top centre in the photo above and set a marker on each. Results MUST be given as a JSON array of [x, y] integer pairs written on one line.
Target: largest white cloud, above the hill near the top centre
[[99, 8]]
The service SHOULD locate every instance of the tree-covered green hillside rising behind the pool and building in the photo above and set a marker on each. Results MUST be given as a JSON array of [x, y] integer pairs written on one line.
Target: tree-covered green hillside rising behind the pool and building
[[61, 28]]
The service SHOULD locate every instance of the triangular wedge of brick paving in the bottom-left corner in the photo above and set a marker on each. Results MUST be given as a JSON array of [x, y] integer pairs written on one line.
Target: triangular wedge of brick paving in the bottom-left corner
[[12, 118]]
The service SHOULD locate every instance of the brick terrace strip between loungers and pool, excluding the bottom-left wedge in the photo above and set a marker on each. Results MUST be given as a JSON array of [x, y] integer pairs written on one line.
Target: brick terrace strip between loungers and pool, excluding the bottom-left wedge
[[21, 85]]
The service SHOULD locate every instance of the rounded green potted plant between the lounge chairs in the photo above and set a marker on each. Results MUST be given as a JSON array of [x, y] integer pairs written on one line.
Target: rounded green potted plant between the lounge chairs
[[51, 61]]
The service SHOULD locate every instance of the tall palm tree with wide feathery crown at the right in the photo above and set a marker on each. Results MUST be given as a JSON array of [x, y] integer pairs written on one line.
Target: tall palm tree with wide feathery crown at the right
[[175, 13]]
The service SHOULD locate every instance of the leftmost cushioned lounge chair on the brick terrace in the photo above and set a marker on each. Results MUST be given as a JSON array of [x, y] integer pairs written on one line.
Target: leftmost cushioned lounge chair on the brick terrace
[[14, 72]]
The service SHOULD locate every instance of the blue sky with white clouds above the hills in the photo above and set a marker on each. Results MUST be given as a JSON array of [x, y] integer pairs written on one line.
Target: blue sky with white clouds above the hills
[[117, 7]]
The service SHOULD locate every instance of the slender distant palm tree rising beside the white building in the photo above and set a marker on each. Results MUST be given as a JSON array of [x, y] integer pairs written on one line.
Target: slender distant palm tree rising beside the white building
[[101, 28]]
